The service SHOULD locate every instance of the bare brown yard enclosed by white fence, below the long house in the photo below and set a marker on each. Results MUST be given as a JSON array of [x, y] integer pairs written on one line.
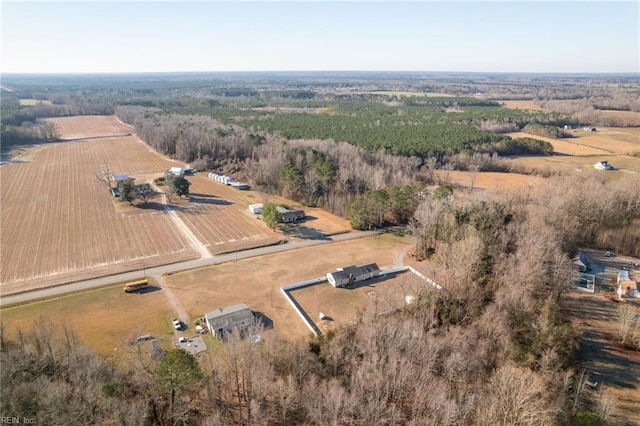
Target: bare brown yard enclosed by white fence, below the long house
[[342, 305]]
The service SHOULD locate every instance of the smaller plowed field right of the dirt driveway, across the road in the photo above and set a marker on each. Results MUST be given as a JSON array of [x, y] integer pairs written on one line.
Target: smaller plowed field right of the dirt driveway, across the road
[[217, 214]]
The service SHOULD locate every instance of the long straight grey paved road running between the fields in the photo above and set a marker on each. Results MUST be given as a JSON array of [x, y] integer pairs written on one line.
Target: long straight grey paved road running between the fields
[[29, 296]]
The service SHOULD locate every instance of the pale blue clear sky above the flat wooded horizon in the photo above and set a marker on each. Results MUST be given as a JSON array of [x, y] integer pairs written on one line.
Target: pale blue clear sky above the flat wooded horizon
[[166, 36]]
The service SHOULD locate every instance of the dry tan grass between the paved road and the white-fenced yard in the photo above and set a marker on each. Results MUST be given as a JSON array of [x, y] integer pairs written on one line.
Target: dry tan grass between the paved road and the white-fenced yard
[[257, 281]]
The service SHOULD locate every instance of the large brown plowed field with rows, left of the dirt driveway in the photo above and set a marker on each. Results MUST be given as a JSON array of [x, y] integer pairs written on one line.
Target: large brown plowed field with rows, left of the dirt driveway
[[59, 224]]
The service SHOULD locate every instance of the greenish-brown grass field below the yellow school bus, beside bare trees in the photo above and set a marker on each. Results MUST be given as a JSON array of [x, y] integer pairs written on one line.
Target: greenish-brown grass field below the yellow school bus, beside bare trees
[[103, 319]]
